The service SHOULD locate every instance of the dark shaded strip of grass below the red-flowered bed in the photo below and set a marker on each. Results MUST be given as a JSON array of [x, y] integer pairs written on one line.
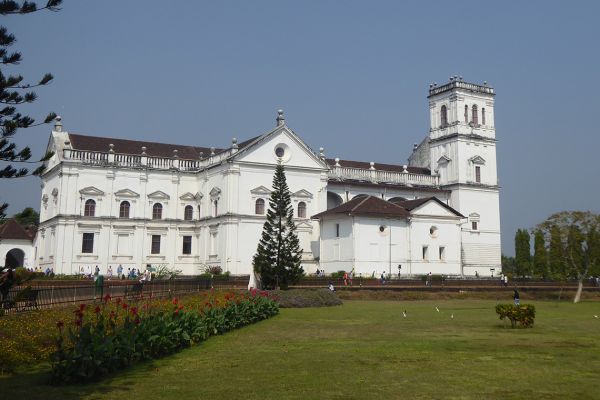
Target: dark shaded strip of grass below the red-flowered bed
[[34, 383]]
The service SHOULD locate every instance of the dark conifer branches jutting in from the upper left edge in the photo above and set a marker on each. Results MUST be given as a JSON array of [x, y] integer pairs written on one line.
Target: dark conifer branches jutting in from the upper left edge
[[14, 92]]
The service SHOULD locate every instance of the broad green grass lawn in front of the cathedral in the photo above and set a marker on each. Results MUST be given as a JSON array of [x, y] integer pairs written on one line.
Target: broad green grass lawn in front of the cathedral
[[367, 349]]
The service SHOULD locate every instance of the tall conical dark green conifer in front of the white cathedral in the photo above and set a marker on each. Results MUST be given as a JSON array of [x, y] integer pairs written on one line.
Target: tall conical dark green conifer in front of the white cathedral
[[277, 259]]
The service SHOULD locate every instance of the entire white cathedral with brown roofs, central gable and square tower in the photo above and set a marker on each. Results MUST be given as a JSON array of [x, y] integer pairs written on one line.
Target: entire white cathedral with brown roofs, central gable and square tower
[[108, 201]]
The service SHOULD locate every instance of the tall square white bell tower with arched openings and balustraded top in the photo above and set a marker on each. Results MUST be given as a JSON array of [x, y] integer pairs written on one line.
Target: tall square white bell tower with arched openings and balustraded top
[[462, 151]]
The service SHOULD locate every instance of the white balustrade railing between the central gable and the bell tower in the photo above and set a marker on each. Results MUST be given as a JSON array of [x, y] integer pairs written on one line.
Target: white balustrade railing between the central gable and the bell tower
[[375, 175]]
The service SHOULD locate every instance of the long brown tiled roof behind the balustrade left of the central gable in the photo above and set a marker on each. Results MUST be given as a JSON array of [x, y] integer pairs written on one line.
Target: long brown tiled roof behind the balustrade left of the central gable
[[153, 149]]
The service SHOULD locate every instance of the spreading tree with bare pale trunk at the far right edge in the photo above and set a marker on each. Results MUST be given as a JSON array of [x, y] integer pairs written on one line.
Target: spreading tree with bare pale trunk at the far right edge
[[579, 243]]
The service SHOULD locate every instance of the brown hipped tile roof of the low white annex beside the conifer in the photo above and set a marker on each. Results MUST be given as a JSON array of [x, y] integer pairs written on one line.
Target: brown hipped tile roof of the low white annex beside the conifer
[[367, 205]]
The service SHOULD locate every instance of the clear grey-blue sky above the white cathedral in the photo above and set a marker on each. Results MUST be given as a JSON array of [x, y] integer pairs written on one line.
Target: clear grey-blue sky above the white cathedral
[[351, 76]]
